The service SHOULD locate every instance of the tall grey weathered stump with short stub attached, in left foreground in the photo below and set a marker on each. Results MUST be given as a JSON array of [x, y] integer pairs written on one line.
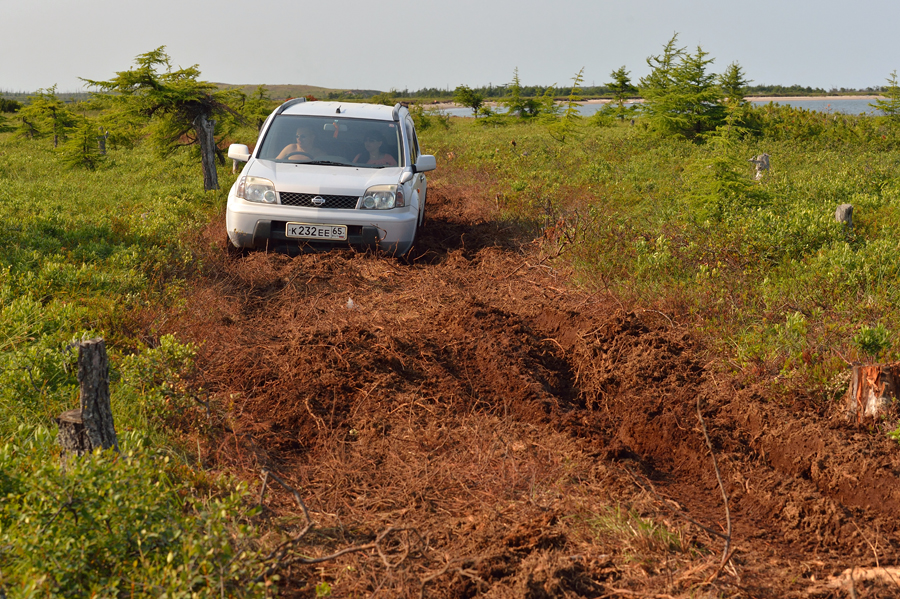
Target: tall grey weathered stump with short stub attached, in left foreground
[[84, 430]]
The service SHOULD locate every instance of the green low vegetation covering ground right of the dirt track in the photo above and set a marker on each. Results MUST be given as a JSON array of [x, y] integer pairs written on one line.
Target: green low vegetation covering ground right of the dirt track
[[762, 268]]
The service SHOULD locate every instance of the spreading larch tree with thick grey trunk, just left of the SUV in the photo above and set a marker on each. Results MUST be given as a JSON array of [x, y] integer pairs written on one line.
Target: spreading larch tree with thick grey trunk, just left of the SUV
[[180, 108]]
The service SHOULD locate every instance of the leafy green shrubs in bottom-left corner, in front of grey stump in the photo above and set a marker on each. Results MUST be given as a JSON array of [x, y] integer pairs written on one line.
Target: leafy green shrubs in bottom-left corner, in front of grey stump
[[111, 525]]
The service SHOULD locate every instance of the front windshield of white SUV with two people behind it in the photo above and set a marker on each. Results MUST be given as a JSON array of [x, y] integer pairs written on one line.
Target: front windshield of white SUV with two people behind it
[[342, 142]]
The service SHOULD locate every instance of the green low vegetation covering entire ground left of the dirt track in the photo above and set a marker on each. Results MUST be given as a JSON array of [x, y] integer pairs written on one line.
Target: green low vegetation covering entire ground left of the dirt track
[[84, 251]]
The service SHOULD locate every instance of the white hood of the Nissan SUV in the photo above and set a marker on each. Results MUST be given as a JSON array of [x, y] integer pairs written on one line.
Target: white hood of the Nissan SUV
[[323, 179]]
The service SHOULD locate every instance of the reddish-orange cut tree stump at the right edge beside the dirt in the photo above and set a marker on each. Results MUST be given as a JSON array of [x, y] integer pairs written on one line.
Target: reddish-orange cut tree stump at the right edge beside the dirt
[[872, 392]]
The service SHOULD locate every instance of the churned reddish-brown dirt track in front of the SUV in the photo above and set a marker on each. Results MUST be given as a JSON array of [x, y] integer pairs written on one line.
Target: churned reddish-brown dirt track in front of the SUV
[[530, 439]]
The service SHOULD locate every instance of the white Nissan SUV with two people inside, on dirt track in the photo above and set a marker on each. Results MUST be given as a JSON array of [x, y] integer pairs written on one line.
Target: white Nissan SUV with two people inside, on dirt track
[[330, 174]]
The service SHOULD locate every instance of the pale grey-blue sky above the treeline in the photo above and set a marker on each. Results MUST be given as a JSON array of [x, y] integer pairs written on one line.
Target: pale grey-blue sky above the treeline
[[414, 44]]
